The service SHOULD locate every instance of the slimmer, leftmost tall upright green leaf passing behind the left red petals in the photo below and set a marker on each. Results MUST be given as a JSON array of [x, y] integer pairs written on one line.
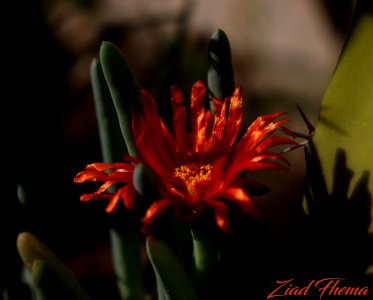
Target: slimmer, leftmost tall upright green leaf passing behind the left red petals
[[125, 243]]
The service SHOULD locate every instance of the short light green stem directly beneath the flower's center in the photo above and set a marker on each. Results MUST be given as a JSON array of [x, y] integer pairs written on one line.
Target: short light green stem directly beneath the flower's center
[[205, 252]]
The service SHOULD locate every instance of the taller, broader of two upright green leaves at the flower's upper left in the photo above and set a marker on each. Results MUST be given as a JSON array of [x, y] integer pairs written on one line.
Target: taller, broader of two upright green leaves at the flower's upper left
[[123, 89]]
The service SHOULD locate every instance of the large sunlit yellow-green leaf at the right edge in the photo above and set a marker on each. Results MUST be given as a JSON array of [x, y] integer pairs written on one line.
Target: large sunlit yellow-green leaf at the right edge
[[346, 112]]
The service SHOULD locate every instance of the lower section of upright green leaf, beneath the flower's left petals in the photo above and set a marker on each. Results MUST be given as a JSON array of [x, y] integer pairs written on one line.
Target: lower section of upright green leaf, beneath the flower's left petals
[[127, 263]]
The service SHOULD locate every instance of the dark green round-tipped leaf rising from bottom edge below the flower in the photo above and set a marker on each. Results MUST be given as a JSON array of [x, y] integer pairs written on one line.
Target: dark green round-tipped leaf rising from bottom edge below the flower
[[171, 274]]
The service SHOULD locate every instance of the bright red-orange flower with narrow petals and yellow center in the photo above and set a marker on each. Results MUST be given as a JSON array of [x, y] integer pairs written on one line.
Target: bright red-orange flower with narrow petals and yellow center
[[198, 164]]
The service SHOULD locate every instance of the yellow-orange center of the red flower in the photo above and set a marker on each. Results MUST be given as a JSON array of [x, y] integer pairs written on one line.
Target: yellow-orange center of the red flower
[[193, 174]]
